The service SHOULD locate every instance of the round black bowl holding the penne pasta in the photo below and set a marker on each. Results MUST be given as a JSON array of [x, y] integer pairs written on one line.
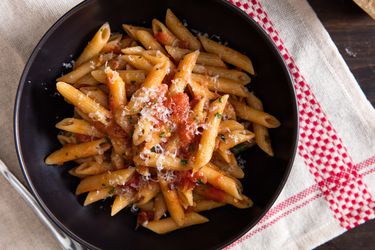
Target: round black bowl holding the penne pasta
[[38, 108]]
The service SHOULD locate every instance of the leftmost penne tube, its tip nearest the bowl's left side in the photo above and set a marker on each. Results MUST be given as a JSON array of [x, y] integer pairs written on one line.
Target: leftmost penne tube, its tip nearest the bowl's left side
[[70, 152]]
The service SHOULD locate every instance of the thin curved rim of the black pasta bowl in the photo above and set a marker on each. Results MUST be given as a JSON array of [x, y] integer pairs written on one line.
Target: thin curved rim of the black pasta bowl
[[82, 5]]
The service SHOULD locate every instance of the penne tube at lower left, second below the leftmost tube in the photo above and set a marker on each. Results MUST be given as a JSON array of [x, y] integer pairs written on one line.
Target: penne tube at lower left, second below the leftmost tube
[[111, 179]]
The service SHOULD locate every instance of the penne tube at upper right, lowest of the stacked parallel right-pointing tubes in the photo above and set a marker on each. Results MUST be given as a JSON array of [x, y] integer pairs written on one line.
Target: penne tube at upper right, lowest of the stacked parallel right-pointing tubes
[[221, 85]]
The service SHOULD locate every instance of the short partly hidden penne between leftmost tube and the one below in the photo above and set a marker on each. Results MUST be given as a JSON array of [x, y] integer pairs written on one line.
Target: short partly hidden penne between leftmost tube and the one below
[[90, 168]]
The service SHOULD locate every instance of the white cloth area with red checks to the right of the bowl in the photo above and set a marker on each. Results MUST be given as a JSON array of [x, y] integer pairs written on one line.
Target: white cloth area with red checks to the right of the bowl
[[332, 185]]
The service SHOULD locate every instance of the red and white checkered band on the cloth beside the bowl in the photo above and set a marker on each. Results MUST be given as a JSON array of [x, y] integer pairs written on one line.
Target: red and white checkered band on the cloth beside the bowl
[[319, 145]]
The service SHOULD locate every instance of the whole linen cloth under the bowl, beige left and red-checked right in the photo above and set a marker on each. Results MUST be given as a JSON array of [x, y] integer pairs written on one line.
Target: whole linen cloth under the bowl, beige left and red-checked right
[[332, 183]]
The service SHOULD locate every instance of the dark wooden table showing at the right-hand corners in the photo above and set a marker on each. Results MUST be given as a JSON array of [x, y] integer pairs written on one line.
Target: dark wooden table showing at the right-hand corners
[[354, 34]]
